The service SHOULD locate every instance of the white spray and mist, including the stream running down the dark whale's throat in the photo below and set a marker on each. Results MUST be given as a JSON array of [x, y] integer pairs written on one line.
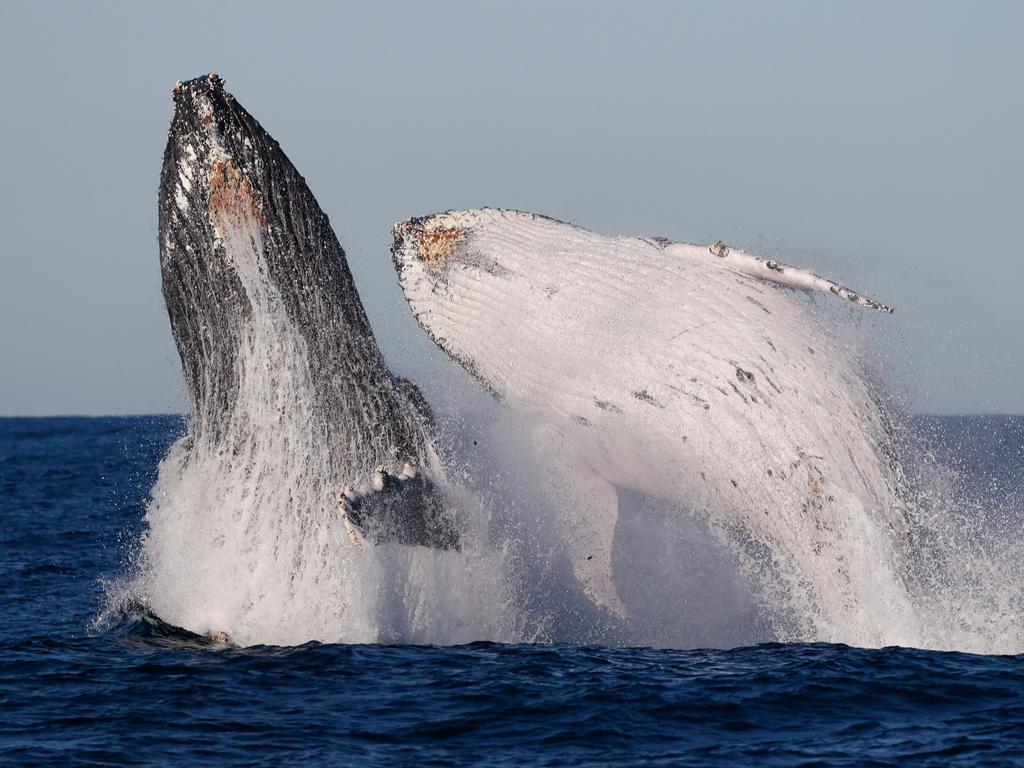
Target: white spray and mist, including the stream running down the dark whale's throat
[[244, 540]]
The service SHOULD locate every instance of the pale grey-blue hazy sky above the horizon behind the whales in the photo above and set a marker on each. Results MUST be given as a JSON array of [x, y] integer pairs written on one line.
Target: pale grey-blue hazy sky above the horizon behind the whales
[[879, 144]]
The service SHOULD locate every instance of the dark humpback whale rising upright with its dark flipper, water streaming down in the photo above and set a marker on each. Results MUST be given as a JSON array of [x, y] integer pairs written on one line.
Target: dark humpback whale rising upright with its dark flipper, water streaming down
[[286, 382]]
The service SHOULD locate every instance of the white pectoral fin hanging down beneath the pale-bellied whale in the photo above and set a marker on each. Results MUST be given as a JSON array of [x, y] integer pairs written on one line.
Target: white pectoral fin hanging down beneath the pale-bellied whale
[[588, 513]]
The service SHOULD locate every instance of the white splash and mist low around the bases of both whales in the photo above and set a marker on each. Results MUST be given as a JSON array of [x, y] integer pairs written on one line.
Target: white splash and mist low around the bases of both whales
[[270, 564]]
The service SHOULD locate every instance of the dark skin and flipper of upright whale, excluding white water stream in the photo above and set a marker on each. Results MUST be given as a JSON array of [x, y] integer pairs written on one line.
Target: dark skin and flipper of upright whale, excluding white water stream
[[224, 177]]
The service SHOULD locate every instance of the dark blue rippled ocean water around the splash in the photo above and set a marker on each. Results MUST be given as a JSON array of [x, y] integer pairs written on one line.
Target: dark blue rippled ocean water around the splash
[[135, 691]]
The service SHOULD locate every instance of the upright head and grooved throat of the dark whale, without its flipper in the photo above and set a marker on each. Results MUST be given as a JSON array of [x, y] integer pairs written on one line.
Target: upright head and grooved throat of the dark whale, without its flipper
[[248, 258]]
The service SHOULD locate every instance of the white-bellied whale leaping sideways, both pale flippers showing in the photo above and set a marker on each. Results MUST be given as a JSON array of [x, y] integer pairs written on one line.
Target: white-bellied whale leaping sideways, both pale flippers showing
[[685, 372]]
